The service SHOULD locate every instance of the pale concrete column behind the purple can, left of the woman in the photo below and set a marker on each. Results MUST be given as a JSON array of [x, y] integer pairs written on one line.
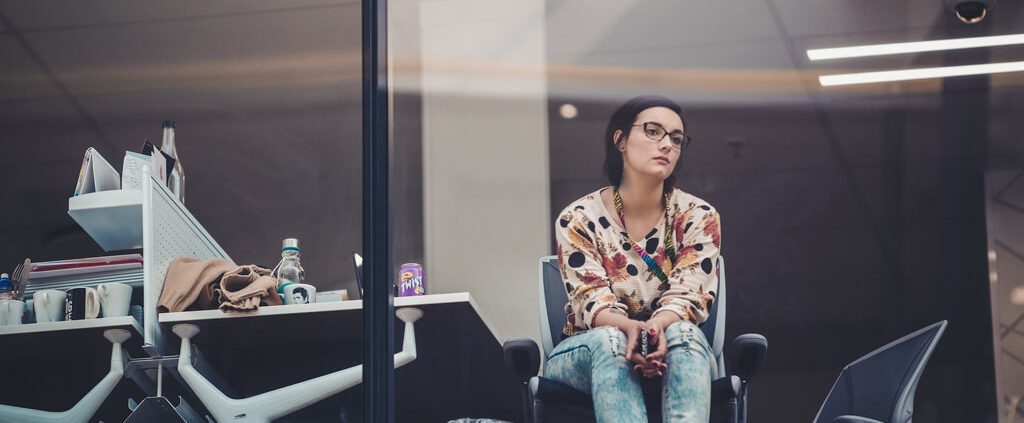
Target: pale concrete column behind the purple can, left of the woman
[[486, 184]]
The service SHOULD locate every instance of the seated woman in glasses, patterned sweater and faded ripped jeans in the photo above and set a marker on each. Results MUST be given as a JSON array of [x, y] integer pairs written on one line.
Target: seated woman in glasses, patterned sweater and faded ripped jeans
[[639, 256]]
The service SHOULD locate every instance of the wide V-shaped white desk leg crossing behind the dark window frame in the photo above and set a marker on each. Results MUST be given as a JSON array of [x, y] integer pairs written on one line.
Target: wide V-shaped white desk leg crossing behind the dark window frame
[[270, 406]]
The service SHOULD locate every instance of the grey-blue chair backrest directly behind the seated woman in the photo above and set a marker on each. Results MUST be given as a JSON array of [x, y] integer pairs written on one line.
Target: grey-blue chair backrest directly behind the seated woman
[[554, 297]]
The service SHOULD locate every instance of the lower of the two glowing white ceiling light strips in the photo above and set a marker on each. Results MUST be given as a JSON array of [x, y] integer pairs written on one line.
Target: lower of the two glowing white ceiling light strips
[[924, 73]]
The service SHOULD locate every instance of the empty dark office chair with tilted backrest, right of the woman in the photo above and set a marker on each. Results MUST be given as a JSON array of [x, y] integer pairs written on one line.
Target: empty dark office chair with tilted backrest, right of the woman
[[880, 388]]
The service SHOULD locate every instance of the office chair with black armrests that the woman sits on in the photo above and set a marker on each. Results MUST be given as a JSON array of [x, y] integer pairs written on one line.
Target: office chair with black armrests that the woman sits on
[[549, 401]]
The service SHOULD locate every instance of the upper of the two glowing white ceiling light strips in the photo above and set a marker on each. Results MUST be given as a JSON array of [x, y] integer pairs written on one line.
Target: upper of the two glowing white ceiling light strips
[[915, 48]]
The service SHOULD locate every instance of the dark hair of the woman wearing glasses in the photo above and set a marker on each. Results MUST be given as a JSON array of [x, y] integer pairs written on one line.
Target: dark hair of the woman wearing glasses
[[622, 120]]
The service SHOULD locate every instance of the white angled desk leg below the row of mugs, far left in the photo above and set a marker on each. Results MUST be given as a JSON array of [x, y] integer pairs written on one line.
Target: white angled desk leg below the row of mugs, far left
[[87, 407]]
